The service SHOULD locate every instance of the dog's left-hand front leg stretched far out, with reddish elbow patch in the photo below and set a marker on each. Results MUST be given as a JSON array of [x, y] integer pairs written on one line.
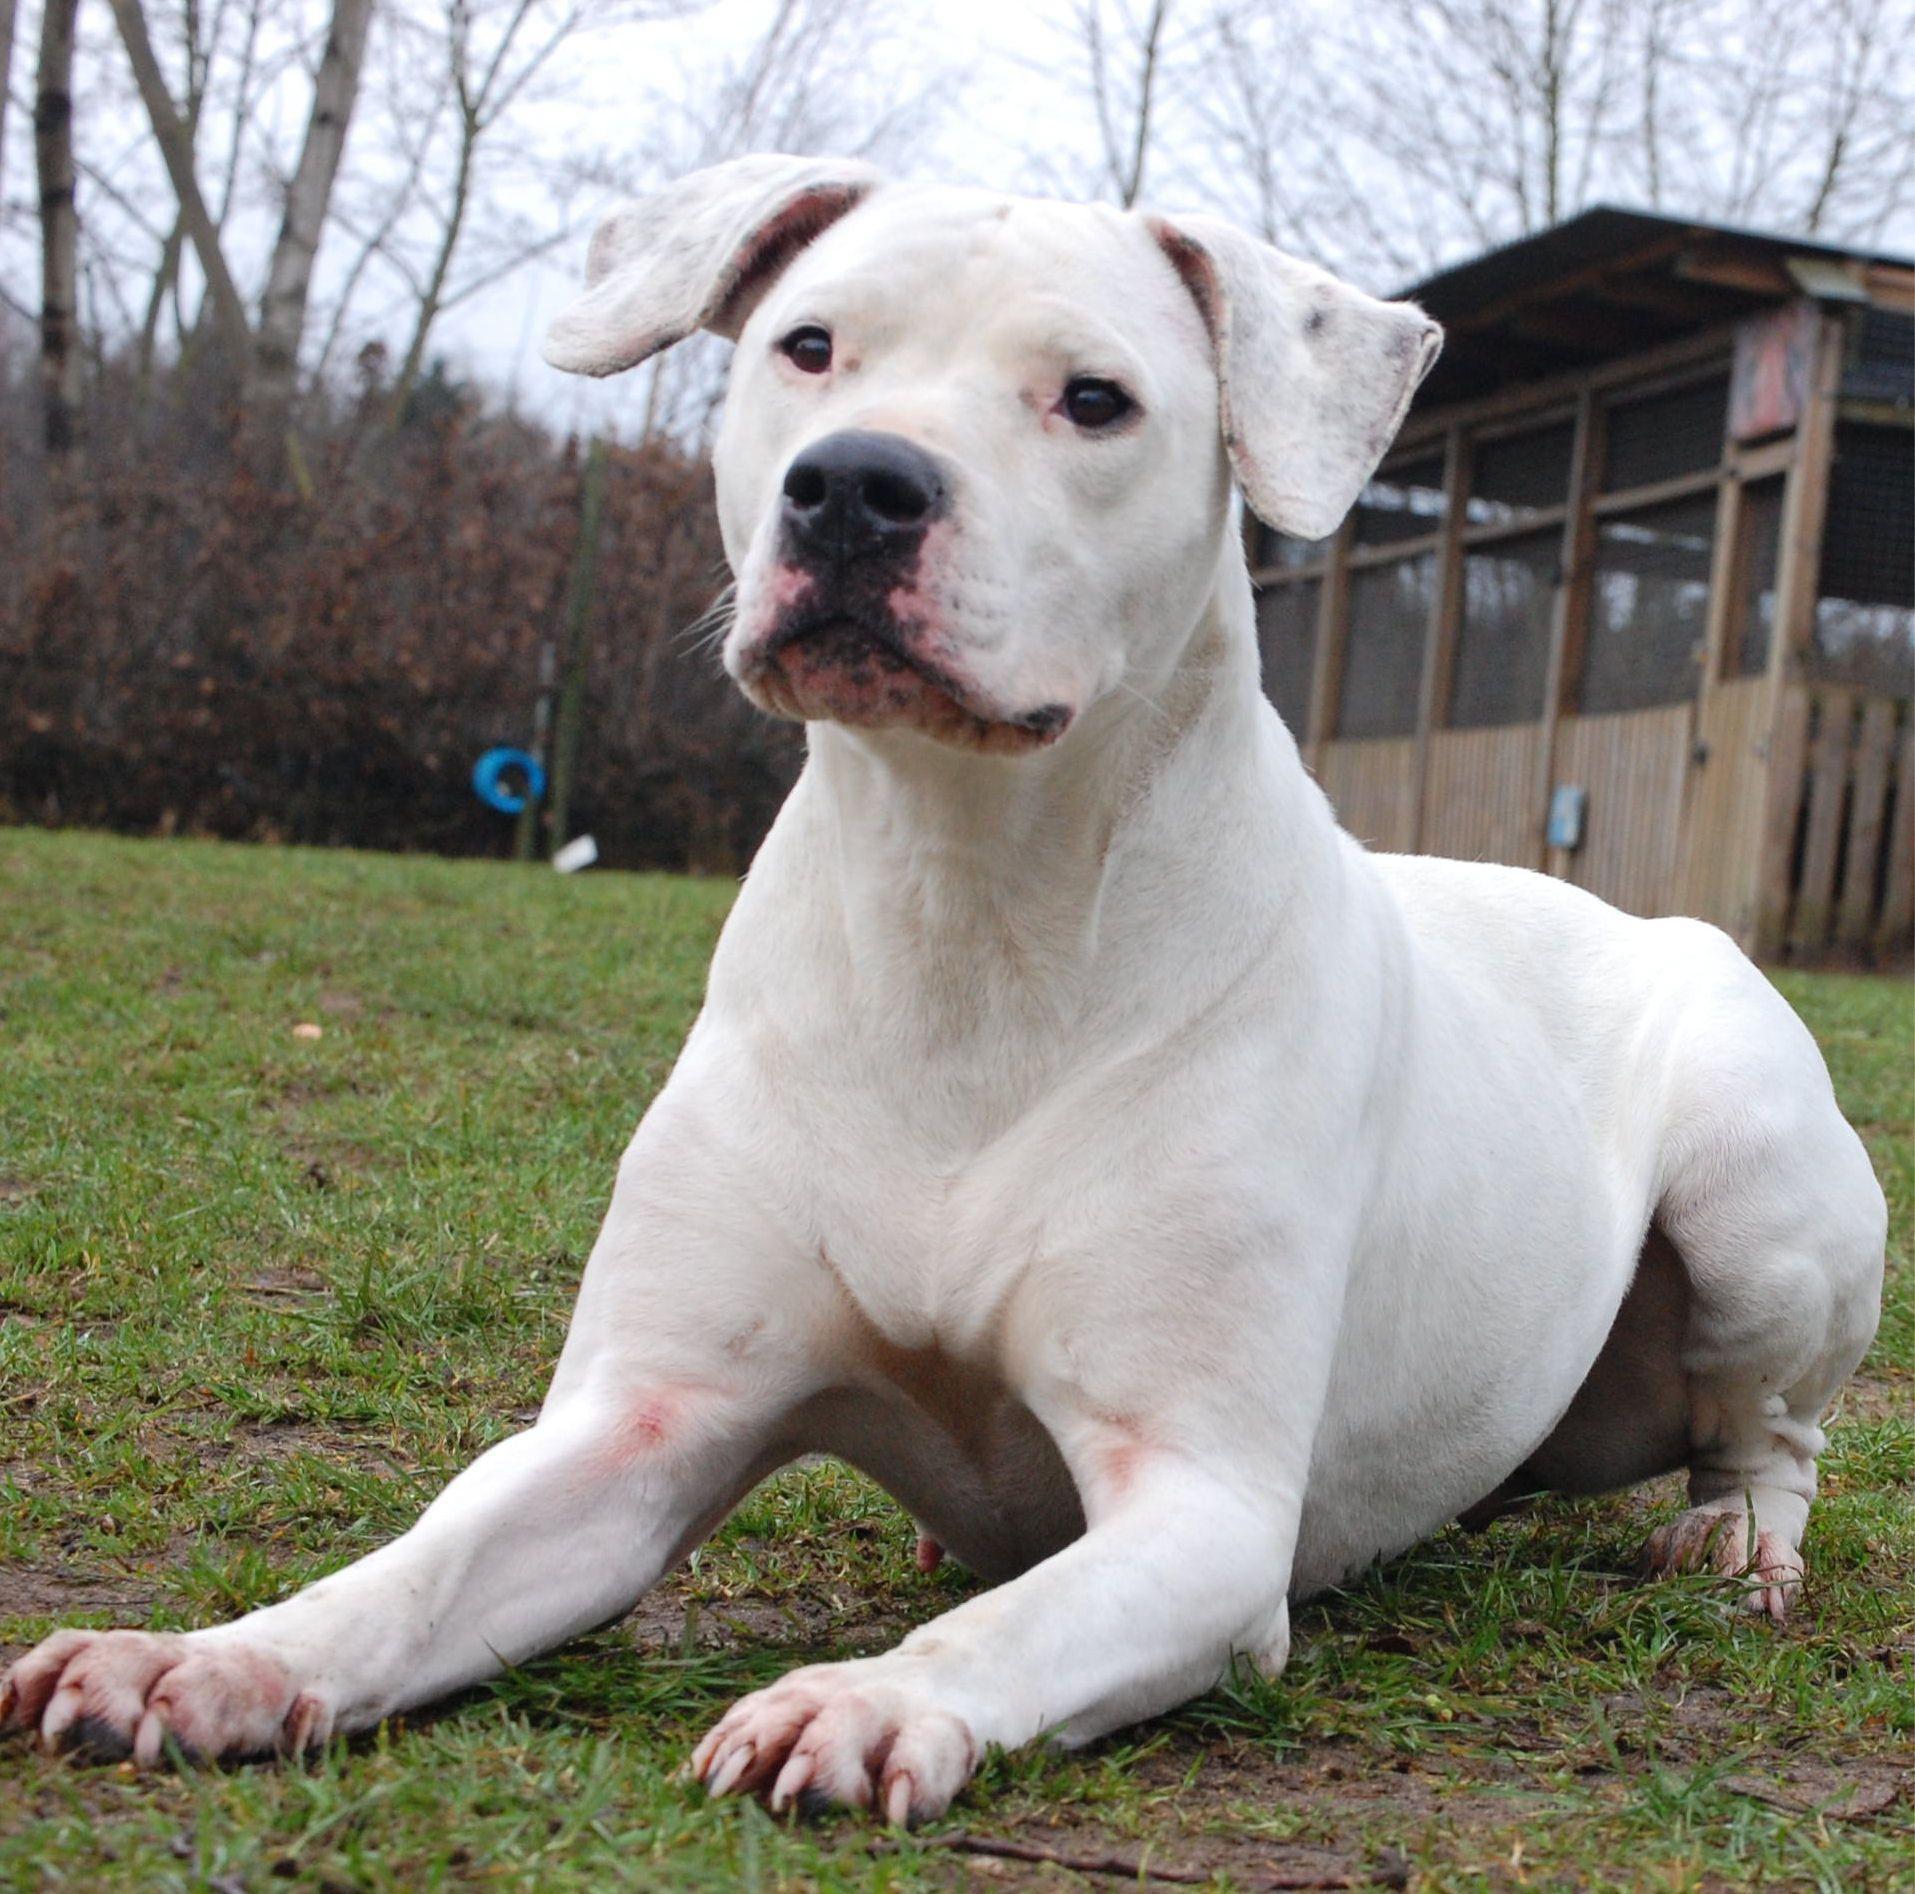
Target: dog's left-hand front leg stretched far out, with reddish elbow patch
[[671, 1401]]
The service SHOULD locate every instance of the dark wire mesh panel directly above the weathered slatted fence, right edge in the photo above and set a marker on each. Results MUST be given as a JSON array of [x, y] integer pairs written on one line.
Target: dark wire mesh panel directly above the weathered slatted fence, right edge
[[1866, 608]]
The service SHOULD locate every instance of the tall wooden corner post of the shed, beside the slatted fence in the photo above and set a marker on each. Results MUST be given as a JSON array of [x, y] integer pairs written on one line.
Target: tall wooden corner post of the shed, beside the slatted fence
[[1797, 577]]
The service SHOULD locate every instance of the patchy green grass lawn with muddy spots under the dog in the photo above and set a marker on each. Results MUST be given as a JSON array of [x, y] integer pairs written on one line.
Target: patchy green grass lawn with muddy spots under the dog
[[261, 1294]]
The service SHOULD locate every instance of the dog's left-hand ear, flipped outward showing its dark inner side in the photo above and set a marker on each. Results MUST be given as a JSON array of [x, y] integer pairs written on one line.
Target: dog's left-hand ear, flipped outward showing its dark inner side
[[698, 256]]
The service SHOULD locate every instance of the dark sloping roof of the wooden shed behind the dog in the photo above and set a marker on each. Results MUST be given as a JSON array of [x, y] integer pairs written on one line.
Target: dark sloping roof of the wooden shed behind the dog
[[1611, 282]]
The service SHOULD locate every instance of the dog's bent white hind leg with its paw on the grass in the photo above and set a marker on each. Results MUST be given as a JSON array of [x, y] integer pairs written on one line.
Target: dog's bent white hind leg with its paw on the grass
[[1772, 1207]]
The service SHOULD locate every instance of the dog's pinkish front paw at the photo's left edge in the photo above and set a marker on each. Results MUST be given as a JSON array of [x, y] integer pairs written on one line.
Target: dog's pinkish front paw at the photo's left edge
[[118, 1694]]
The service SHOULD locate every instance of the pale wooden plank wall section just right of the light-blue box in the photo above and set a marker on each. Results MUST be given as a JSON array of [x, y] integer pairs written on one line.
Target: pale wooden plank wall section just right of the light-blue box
[[1634, 765]]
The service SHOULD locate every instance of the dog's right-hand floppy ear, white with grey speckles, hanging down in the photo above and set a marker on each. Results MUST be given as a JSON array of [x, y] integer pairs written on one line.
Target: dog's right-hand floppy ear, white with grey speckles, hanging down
[[1313, 376]]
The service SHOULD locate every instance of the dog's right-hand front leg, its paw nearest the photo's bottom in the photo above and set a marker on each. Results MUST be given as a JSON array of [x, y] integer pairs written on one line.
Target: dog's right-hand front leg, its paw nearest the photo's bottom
[[1192, 1500]]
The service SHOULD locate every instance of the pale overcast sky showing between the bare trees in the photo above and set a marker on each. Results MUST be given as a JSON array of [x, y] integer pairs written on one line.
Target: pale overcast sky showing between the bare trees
[[1006, 106]]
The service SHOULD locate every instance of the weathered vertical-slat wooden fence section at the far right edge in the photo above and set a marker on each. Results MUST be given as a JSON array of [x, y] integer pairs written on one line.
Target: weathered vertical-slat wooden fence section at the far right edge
[[1849, 813]]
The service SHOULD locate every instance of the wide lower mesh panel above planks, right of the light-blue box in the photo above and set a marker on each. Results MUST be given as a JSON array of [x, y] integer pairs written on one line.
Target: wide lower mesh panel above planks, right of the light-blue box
[[1650, 606]]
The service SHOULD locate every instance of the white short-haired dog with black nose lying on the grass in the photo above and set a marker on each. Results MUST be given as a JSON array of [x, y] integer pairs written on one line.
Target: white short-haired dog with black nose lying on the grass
[[1175, 1206]]
